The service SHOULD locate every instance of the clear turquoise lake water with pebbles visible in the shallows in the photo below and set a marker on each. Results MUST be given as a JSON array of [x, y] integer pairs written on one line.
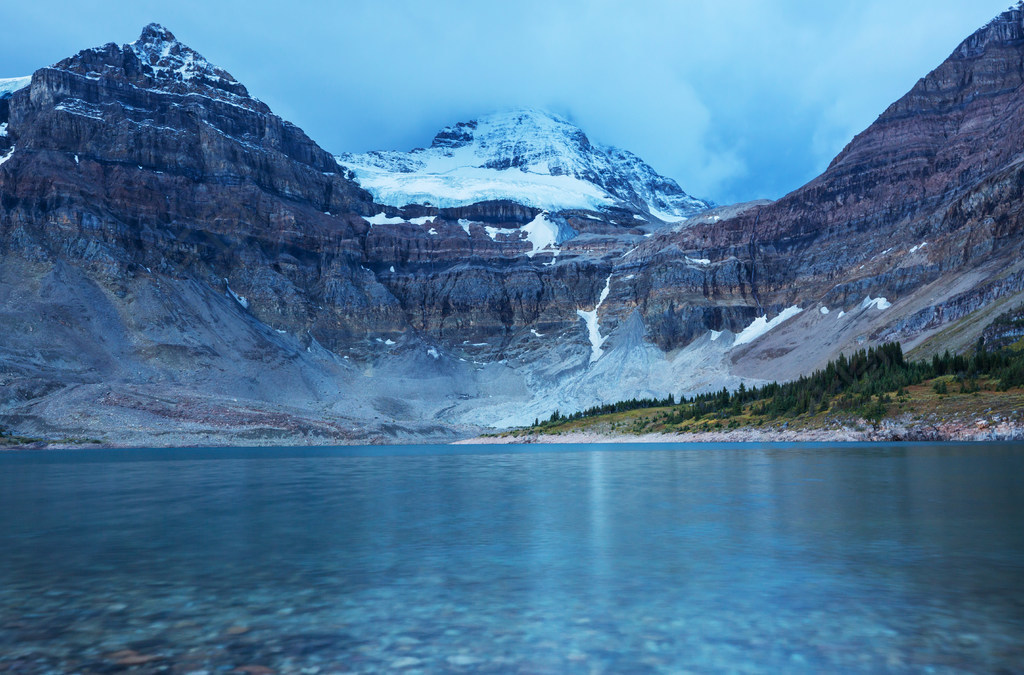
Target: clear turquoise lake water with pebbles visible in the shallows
[[559, 560]]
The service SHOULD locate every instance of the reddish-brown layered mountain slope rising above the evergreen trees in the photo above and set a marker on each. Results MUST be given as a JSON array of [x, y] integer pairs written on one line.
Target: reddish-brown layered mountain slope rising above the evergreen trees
[[924, 208]]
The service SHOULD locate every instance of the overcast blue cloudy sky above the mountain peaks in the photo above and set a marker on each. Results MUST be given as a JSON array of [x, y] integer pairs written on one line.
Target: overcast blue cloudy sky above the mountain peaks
[[736, 101]]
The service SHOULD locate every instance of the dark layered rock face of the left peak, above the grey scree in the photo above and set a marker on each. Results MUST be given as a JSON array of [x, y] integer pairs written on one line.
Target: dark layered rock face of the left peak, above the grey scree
[[146, 160]]
